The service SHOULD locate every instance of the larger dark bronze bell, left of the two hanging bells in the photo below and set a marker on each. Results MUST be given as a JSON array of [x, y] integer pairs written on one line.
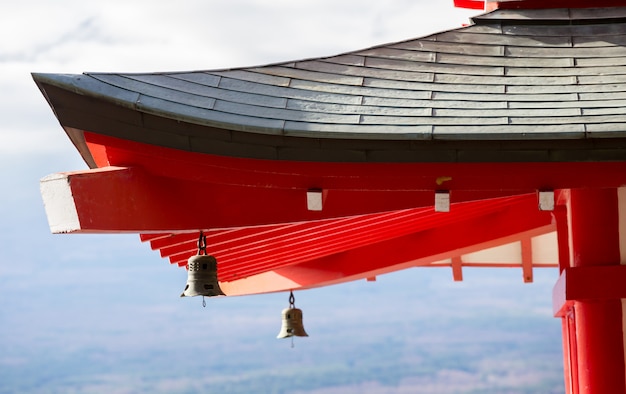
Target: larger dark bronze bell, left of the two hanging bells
[[202, 277]]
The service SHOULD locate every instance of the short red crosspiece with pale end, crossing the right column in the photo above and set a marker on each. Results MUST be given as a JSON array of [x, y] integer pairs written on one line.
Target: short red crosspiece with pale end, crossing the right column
[[586, 284]]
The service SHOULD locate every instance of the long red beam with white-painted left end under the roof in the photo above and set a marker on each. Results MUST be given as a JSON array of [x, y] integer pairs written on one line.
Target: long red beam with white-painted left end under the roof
[[115, 199]]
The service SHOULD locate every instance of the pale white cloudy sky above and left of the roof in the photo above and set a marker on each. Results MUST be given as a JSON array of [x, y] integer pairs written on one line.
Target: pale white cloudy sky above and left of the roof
[[74, 36]]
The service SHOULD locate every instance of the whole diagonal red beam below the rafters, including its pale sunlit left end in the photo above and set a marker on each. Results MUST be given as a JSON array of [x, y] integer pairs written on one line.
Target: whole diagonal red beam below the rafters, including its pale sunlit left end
[[473, 233]]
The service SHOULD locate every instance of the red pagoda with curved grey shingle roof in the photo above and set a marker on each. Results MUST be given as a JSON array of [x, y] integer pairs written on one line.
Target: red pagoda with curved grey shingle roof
[[497, 144]]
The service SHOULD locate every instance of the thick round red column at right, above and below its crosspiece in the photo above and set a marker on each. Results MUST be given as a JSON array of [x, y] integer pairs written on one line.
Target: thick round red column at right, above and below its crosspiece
[[599, 340]]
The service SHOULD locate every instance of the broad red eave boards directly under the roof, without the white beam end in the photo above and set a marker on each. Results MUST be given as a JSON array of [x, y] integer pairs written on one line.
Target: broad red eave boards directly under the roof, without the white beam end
[[165, 190]]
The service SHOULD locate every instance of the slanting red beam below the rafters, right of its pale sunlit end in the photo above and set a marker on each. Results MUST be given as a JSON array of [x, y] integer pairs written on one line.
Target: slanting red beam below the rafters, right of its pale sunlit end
[[463, 236]]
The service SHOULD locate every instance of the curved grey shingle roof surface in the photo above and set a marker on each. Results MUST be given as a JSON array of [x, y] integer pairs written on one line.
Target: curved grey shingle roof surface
[[513, 74]]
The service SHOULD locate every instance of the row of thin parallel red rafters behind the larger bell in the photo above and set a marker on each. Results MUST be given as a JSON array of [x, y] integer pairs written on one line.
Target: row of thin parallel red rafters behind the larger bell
[[248, 251]]
